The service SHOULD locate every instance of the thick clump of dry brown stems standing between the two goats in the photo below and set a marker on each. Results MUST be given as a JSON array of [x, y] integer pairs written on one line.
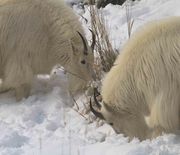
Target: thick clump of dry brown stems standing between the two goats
[[105, 54]]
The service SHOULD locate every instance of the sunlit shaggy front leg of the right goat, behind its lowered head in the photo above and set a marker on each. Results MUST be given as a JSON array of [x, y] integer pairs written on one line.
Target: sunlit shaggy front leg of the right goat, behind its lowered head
[[164, 116]]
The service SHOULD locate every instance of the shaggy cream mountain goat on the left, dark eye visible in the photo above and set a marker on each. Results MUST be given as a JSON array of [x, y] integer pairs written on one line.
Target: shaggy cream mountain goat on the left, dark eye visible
[[37, 35]]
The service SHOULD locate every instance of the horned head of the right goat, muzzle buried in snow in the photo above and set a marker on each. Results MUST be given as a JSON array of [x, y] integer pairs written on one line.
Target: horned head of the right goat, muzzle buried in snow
[[122, 120]]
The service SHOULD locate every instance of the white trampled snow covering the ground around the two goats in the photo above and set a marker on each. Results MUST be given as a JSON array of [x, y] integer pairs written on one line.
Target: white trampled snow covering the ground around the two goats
[[47, 124]]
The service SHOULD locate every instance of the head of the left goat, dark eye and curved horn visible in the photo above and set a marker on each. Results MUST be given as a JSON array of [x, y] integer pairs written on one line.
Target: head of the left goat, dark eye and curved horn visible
[[80, 70]]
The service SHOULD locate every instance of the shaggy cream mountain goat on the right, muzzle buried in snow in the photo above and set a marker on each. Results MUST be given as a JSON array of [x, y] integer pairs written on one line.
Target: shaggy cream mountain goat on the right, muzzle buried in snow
[[141, 93]]
